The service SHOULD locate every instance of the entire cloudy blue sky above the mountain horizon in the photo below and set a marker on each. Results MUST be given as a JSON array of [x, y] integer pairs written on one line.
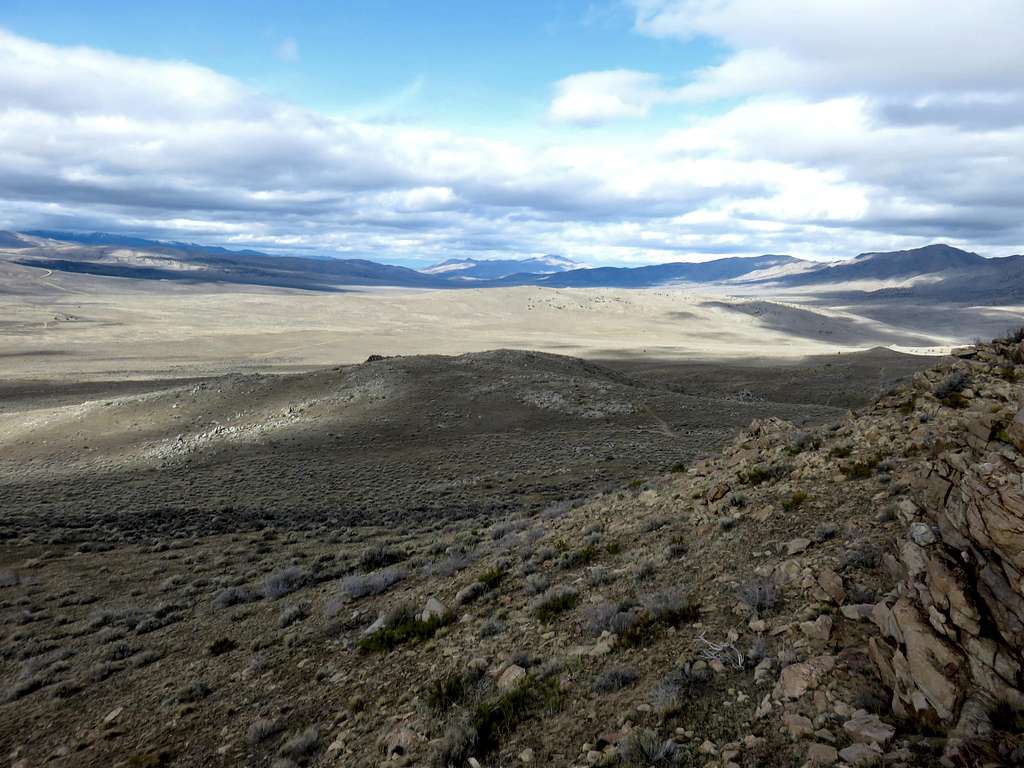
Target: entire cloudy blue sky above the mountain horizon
[[614, 133]]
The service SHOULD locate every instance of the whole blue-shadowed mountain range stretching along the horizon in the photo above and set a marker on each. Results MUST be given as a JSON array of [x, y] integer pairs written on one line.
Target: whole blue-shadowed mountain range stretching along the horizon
[[936, 272]]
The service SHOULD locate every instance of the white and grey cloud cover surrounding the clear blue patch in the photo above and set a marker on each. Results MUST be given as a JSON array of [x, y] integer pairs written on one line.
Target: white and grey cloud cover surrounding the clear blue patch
[[815, 153]]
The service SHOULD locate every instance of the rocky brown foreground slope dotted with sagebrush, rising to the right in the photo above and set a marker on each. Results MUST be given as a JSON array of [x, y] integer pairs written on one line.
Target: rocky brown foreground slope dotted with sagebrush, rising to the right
[[840, 595]]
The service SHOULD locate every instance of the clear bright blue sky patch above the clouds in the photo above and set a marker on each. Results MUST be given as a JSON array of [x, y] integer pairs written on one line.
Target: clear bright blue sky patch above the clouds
[[462, 64]]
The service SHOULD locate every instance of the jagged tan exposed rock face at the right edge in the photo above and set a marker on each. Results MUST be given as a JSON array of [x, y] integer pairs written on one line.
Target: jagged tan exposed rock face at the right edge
[[954, 636]]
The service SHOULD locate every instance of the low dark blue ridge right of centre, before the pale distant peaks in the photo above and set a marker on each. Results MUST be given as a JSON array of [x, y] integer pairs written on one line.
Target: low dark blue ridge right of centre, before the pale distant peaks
[[656, 275]]
